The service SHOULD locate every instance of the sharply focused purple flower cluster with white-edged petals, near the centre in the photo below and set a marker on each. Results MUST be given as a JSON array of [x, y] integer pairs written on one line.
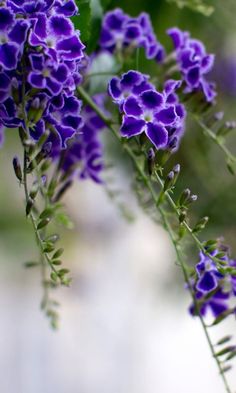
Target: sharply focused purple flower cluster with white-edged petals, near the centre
[[159, 115]]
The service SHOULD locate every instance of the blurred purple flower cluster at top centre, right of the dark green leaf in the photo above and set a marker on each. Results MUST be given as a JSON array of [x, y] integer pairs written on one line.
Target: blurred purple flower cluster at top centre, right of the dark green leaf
[[121, 32]]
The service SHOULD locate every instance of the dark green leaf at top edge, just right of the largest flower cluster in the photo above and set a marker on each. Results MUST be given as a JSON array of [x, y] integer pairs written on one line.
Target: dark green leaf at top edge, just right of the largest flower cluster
[[82, 21]]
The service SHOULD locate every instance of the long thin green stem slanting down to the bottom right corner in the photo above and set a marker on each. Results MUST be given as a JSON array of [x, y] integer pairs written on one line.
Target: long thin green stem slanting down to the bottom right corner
[[147, 182]]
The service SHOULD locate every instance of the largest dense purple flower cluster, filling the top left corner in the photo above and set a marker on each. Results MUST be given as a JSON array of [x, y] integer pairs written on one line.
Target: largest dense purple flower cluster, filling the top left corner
[[40, 59]]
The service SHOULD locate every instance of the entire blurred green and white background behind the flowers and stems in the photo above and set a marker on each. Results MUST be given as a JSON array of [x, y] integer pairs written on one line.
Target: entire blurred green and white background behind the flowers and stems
[[124, 325]]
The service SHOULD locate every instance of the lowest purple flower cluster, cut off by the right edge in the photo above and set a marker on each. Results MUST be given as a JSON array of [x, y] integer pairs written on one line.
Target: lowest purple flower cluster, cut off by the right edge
[[213, 289]]
